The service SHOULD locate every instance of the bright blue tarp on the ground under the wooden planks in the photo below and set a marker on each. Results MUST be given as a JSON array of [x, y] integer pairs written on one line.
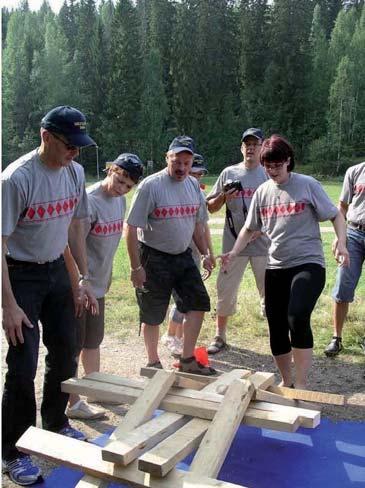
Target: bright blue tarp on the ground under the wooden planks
[[332, 455]]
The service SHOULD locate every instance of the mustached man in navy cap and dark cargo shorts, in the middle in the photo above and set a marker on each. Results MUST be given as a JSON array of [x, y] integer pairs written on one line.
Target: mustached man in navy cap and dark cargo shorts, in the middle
[[167, 211]]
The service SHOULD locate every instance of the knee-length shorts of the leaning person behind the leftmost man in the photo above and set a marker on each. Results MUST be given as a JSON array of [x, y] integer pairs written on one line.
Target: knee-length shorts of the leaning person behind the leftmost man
[[90, 328]]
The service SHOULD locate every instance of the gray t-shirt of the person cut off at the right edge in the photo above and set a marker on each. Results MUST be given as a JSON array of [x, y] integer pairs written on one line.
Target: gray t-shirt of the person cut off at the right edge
[[353, 193]]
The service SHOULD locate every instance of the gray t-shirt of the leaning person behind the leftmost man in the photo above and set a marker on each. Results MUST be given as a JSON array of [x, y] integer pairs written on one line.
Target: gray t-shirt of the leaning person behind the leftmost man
[[105, 231]]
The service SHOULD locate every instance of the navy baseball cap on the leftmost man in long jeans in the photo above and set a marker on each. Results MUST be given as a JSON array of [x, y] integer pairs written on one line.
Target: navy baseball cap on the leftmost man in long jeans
[[69, 122]]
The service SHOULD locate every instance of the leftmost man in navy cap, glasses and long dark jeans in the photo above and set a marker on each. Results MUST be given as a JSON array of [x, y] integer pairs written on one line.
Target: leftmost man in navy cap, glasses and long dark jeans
[[43, 200]]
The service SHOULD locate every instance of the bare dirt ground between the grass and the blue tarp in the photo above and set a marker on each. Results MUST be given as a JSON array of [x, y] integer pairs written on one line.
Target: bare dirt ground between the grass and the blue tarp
[[125, 358]]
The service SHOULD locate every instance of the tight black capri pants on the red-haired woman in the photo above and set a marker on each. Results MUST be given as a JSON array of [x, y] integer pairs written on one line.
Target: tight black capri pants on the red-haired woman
[[290, 297]]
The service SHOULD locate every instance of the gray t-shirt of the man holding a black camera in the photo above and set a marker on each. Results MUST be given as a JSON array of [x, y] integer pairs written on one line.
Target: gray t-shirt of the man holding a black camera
[[250, 180]]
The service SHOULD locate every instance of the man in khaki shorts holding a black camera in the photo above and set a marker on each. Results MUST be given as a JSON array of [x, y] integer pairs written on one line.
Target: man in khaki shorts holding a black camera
[[235, 188]]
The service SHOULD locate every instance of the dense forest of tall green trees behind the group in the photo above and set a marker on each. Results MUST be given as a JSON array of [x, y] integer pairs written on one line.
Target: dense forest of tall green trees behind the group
[[144, 71]]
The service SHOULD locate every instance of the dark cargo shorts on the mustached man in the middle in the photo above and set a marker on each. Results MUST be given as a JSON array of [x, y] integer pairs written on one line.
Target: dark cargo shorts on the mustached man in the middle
[[164, 273]]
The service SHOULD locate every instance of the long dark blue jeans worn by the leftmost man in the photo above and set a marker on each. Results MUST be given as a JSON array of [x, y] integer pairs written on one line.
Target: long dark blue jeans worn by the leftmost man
[[43, 291]]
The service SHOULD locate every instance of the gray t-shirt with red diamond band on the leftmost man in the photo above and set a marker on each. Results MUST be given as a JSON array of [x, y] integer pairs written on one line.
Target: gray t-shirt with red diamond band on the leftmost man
[[38, 204]]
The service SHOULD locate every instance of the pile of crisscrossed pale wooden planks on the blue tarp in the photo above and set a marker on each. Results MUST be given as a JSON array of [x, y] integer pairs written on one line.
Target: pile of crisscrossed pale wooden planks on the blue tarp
[[199, 413]]
